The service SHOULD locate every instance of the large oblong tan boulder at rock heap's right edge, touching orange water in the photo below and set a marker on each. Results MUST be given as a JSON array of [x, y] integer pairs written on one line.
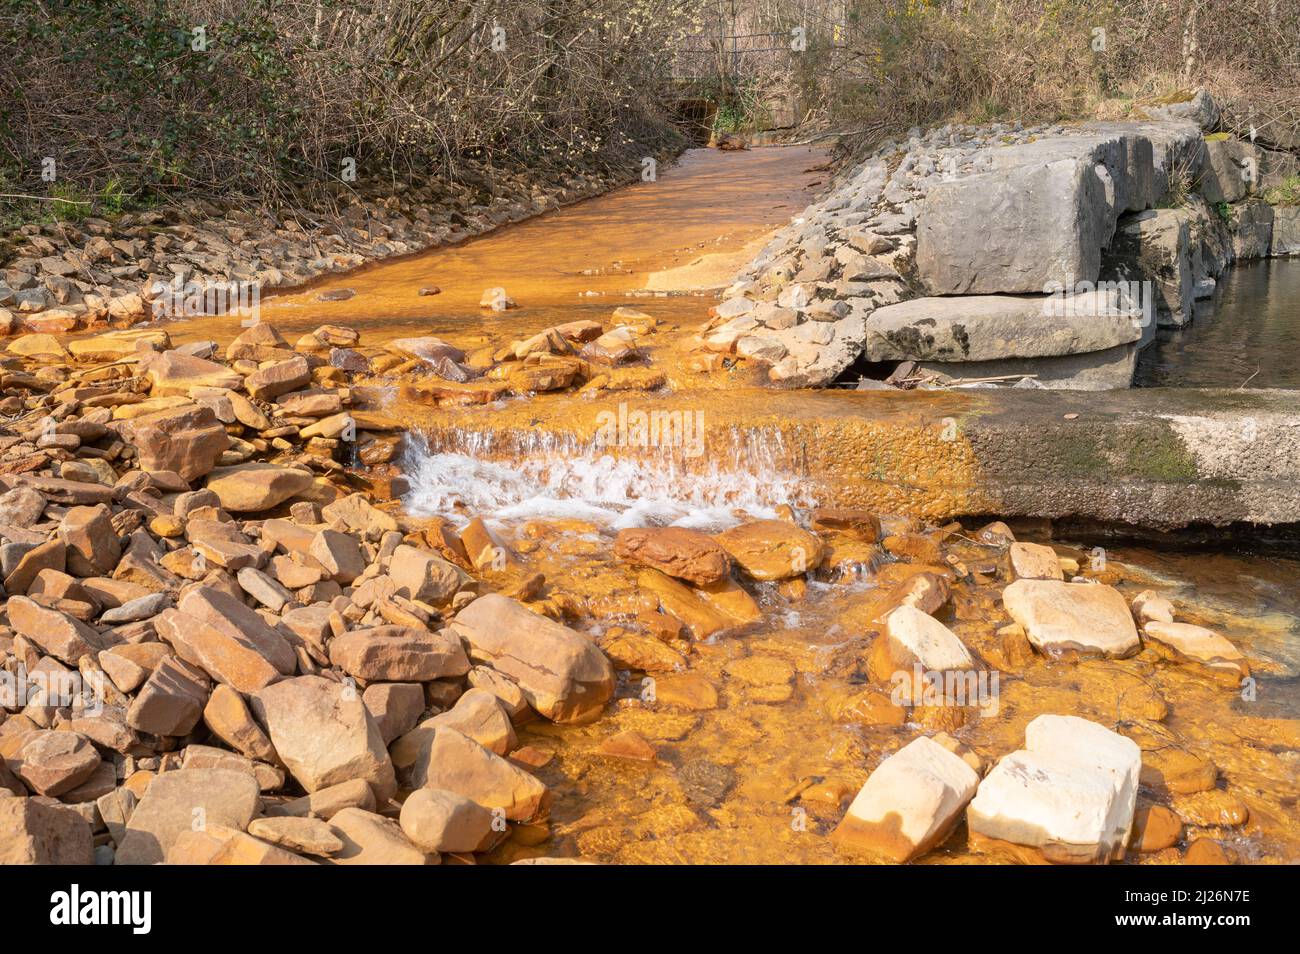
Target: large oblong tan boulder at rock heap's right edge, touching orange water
[[562, 674]]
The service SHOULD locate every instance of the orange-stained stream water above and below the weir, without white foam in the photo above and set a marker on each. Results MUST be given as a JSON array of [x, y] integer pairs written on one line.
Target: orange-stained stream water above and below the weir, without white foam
[[766, 774]]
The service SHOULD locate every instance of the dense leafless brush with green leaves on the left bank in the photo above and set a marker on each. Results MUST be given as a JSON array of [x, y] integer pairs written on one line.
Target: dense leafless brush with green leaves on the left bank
[[120, 103]]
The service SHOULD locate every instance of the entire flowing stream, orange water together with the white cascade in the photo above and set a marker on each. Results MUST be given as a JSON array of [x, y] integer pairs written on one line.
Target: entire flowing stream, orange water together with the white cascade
[[766, 773]]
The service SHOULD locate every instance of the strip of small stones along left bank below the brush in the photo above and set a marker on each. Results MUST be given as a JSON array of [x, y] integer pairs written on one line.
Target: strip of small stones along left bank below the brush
[[98, 272]]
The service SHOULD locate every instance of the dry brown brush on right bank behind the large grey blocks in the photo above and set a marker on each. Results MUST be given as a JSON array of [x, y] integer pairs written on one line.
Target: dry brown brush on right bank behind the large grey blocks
[[887, 66]]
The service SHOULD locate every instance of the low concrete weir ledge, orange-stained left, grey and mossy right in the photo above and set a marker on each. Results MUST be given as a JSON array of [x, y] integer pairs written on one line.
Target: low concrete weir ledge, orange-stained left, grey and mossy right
[[1156, 459]]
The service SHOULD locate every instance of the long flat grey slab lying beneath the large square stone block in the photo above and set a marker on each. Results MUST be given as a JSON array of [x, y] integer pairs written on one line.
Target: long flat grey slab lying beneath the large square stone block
[[986, 328]]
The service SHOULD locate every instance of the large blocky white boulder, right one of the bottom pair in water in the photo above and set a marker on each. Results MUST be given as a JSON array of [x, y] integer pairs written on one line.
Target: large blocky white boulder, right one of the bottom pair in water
[[1071, 793]]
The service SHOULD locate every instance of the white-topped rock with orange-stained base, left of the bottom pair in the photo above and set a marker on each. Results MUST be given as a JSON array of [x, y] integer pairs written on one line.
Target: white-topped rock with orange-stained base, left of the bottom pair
[[909, 804]]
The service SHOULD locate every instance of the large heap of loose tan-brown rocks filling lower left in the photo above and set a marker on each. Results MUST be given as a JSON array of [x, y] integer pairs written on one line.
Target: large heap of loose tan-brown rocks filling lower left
[[214, 652]]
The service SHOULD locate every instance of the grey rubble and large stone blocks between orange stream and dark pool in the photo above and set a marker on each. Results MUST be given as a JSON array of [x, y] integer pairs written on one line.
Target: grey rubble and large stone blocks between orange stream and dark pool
[[977, 253]]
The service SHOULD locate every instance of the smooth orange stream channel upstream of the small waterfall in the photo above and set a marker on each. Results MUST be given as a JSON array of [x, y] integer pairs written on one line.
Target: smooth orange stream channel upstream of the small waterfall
[[708, 203]]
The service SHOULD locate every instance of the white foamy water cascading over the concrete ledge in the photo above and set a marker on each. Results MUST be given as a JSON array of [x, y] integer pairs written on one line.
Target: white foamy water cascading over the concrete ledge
[[465, 475]]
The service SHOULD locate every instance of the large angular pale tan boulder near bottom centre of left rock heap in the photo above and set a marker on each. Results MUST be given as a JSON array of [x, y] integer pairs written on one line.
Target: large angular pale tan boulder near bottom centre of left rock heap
[[324, 735]]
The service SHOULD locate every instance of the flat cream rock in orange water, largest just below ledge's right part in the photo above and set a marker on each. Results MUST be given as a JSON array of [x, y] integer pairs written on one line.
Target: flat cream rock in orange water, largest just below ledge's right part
[[1090, 619]]
